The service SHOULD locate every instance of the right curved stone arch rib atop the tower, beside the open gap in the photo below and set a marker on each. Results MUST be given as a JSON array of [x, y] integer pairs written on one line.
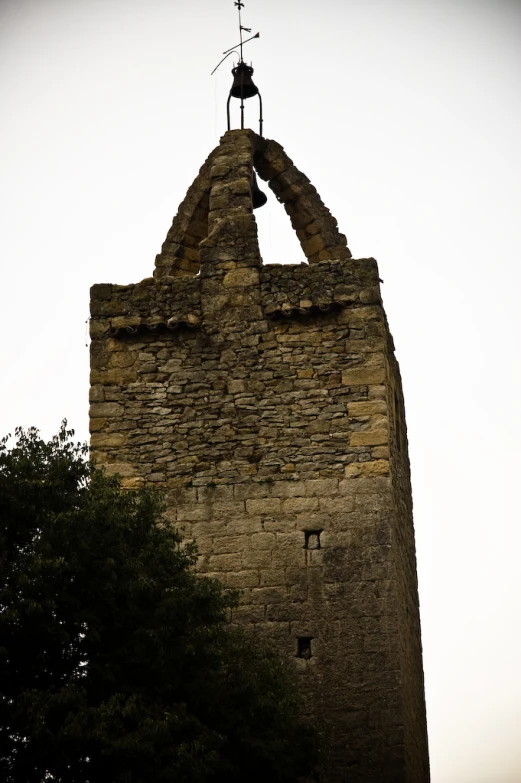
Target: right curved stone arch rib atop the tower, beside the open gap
[[314, 224]]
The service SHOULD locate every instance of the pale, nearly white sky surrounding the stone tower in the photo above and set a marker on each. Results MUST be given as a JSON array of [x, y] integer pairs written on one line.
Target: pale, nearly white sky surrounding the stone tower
[[406, 117]]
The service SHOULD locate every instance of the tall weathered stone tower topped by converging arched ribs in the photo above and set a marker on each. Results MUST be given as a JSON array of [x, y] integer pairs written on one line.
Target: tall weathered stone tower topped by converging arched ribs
[[266, 403]]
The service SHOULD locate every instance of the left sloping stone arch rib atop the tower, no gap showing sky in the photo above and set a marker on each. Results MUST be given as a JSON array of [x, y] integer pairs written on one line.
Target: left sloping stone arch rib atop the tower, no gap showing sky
[[179, 256]]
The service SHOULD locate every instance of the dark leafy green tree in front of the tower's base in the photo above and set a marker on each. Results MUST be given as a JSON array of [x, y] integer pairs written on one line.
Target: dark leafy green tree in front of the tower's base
[[116, 660]]
